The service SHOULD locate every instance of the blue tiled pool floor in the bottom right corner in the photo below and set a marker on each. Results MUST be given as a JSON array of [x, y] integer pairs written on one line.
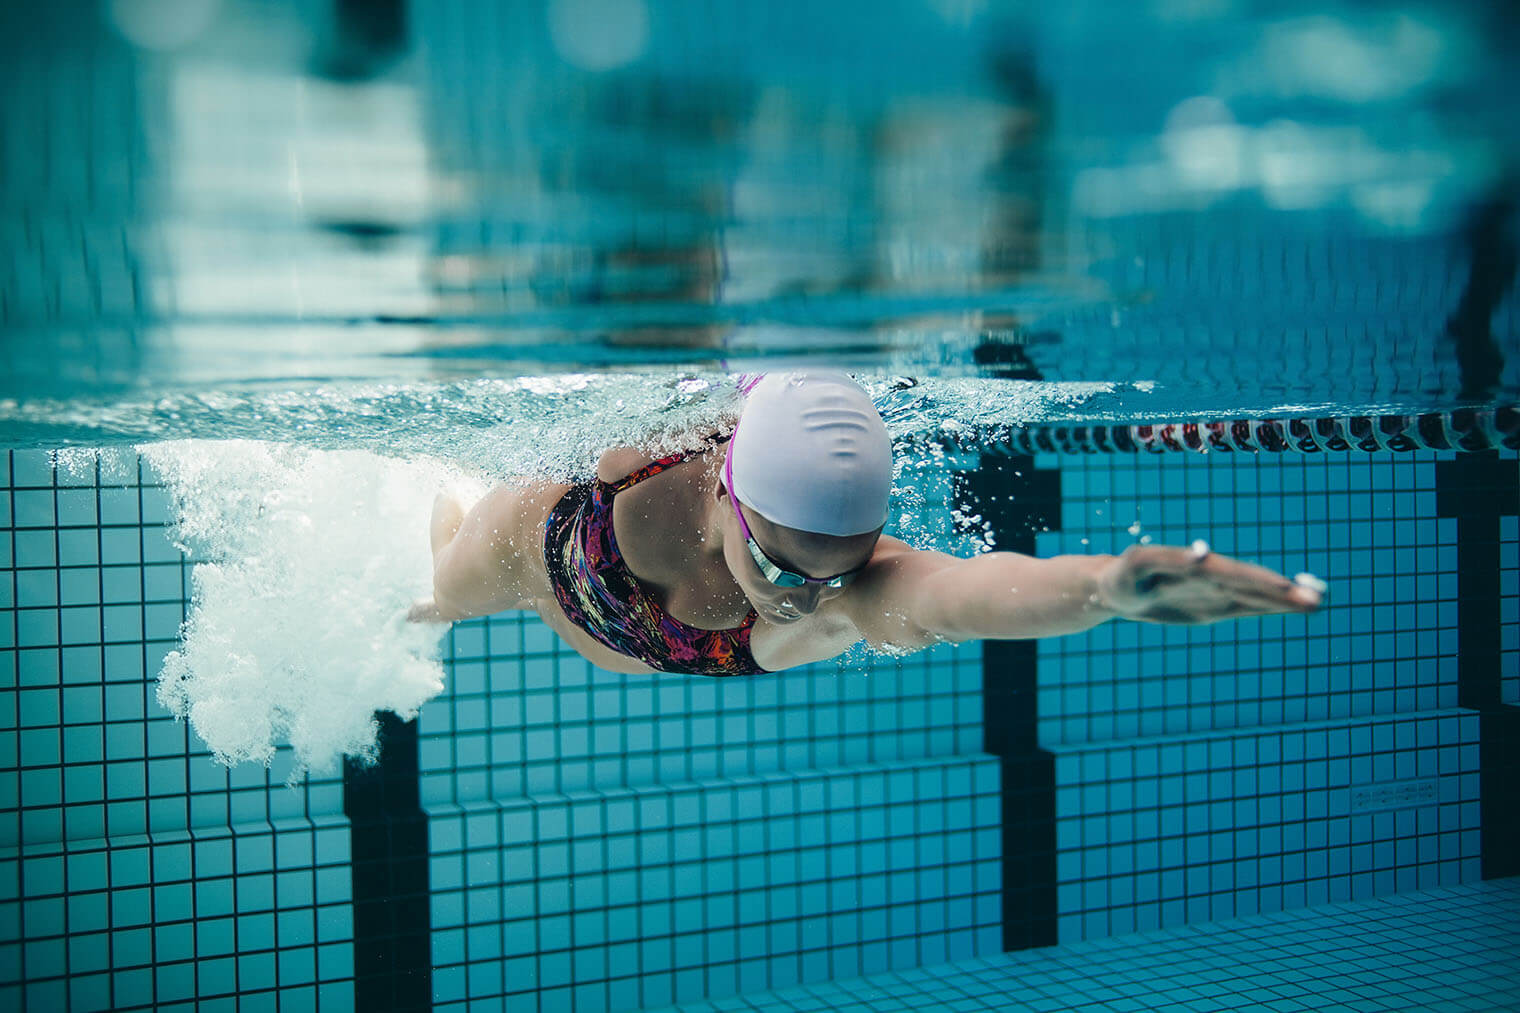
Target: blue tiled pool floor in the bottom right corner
[[1357, 956]]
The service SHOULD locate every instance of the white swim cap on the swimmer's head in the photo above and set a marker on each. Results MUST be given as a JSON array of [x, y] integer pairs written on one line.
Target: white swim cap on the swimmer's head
[[811, 453]]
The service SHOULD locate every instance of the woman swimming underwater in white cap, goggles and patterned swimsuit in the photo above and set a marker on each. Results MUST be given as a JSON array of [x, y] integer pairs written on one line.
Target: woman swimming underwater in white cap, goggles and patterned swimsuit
[[765, 551]]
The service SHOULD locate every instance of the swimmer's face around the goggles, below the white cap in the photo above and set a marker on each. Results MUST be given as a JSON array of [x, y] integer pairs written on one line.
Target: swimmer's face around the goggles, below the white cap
[[803, 553]]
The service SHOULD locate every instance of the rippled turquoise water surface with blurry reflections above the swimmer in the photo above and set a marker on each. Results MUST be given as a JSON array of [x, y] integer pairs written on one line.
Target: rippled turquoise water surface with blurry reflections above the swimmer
[[1247, 214]]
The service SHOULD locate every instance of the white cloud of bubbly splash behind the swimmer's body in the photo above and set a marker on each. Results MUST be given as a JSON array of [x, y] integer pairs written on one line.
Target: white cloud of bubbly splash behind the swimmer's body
[[308, 562]]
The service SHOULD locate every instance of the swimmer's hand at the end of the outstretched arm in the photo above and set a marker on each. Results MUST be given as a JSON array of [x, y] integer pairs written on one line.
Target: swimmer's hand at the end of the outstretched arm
[[1153, 583]]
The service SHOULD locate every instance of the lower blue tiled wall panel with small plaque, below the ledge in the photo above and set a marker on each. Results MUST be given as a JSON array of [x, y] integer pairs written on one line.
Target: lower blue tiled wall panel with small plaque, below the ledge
[[1173, 830]]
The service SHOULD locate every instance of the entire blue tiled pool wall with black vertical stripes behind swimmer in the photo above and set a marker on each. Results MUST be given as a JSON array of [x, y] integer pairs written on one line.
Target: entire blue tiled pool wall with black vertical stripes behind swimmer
[[548, 836]]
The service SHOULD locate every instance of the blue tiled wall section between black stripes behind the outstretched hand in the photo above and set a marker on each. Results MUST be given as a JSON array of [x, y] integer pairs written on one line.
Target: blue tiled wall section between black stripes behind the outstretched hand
[[1205, 773]]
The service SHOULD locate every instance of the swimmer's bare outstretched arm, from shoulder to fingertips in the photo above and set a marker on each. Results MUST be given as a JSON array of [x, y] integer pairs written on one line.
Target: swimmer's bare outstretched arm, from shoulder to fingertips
[[913, 599]]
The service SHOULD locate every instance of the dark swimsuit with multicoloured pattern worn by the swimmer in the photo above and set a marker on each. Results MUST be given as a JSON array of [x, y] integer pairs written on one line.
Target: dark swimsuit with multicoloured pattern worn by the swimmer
[[603, 597]]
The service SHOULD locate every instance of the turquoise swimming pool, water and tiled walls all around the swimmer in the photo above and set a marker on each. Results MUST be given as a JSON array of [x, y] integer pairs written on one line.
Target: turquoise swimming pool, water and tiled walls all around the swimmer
[[274, 282]]
